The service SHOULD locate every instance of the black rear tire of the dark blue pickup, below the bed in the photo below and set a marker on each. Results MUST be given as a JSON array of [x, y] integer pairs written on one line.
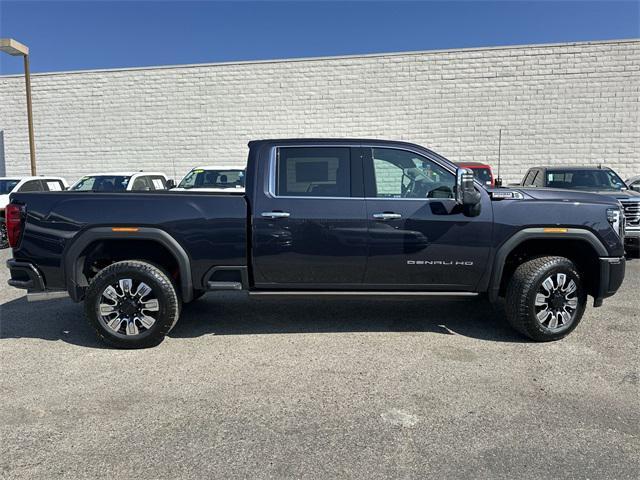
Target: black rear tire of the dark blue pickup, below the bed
[[165, 314]]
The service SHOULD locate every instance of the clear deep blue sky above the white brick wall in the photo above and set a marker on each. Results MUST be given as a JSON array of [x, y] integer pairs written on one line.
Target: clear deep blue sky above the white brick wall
[[88, 34]]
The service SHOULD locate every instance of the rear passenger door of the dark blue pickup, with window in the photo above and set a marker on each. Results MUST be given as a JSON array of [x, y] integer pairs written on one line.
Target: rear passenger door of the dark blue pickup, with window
[[309, 227]]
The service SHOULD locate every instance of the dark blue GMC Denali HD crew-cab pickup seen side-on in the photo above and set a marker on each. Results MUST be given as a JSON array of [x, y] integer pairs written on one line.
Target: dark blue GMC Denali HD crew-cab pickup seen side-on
[[320, 217]]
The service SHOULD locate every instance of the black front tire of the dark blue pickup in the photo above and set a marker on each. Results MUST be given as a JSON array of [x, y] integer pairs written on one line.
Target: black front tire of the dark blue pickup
[[527, 283]]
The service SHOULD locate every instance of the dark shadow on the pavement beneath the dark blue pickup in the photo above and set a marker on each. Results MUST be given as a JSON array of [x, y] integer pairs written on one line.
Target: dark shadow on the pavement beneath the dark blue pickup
[[234, 314]]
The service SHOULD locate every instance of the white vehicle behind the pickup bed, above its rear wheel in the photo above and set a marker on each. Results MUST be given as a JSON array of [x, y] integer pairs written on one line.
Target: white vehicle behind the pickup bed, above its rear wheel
[[123, 182]]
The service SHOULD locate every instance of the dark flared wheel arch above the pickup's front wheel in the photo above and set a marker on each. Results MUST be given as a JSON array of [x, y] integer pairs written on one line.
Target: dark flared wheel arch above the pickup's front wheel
[[555, 242]]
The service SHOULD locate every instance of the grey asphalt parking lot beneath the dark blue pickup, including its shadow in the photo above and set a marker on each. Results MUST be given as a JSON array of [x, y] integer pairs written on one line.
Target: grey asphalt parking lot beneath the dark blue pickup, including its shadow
[[321, 389]]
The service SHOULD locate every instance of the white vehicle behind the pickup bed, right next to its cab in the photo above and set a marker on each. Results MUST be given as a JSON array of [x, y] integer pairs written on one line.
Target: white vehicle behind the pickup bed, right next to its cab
[[213, 178]]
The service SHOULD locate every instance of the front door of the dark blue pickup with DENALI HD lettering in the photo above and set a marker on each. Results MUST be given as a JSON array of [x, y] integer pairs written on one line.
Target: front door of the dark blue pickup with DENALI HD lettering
[[418, 237]]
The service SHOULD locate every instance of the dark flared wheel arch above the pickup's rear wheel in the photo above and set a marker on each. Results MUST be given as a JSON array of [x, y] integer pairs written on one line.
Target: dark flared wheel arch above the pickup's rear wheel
[[74, 255]]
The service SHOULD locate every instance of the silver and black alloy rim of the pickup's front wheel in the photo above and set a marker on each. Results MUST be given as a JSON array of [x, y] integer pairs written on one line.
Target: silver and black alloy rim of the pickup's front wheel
[[556, 302]]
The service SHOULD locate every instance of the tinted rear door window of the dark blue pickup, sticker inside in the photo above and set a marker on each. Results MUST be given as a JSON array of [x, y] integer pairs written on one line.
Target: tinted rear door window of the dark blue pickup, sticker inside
[[314, 172]]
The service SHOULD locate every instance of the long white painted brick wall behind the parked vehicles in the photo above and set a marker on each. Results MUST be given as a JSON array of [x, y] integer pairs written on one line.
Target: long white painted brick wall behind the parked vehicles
[[569, 103]]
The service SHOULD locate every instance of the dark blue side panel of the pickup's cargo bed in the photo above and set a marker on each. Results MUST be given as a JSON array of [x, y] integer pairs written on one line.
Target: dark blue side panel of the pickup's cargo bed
[[210, 227]]
